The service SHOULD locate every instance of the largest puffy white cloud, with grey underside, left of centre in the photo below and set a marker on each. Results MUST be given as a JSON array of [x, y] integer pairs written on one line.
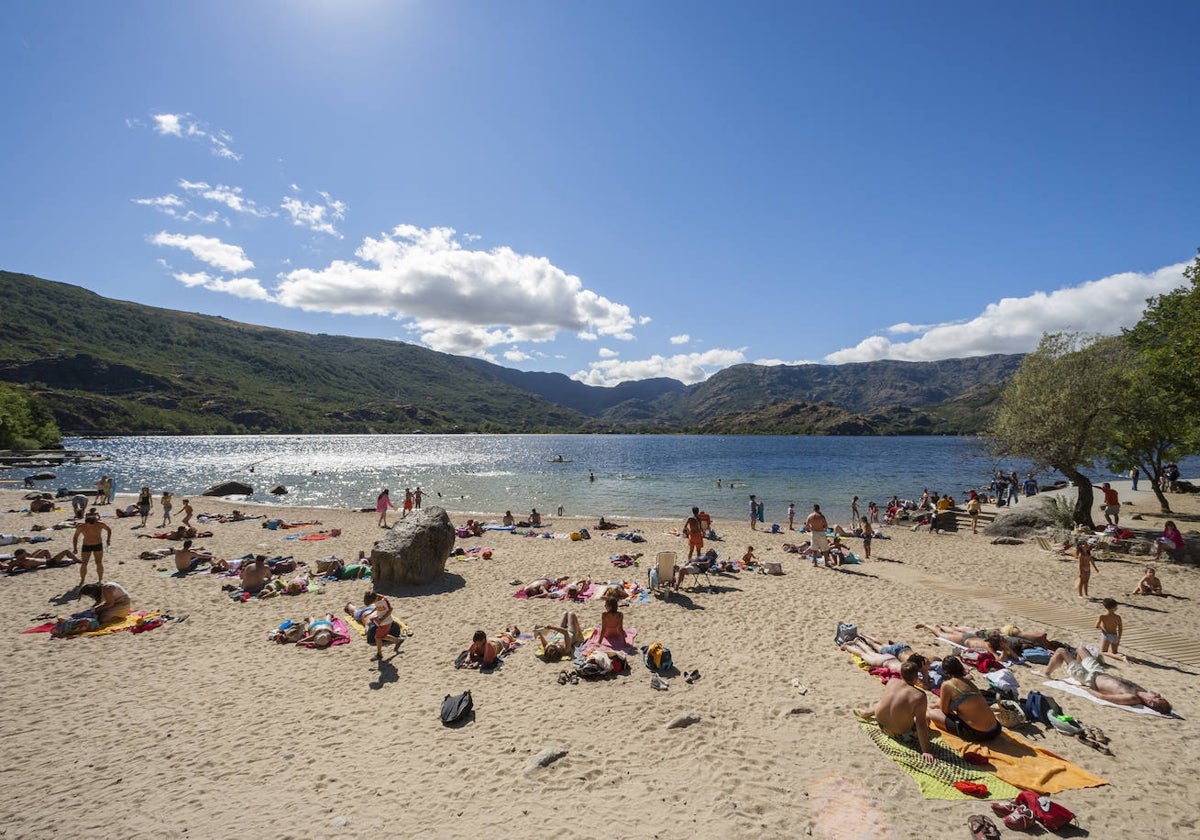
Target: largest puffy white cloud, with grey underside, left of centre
[[458, 301]]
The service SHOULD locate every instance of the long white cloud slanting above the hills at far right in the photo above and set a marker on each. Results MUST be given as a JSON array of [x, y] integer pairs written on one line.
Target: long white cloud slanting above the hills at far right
[[1017, 325]]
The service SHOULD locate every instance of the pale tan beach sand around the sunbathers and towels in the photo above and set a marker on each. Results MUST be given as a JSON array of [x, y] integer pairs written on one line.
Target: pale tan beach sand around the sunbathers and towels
[[203, 729]]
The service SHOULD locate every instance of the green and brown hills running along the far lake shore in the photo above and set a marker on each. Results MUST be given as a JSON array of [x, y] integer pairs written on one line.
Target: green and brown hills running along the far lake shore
[[105, 365]]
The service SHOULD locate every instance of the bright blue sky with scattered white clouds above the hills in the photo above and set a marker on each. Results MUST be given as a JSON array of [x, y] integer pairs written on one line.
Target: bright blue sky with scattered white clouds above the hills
[[611, 190]]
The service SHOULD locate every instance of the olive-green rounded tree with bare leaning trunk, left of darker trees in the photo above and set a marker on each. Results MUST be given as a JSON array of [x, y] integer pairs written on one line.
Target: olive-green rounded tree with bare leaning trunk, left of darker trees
[[1058, 411]]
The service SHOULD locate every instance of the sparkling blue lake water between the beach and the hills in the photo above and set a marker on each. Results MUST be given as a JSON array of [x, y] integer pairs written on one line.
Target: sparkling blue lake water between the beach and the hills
[[646, 476]]
